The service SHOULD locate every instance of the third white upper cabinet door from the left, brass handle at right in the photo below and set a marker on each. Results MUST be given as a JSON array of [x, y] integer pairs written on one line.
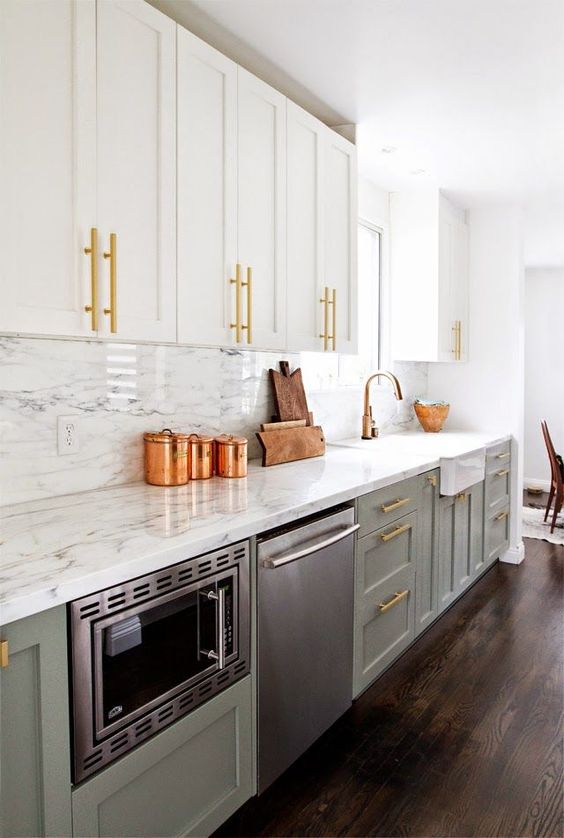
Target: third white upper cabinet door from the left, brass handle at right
[[207, 191]]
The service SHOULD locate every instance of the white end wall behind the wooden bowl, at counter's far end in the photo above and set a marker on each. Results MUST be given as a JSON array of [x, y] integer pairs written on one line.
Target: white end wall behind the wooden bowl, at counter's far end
[[487, 392]]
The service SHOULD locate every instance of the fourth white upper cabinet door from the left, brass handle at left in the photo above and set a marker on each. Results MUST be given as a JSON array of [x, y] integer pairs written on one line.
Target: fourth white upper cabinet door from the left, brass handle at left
[[262, 209]]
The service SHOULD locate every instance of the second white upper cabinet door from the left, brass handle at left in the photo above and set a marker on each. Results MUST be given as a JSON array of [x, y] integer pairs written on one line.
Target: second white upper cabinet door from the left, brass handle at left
[[137, 166]]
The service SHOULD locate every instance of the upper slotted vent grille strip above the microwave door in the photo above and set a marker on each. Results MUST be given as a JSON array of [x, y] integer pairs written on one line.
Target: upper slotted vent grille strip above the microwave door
[[147, 587]]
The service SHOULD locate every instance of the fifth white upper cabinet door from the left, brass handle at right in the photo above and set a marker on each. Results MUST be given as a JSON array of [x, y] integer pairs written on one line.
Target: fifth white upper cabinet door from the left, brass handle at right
[[305, 276]]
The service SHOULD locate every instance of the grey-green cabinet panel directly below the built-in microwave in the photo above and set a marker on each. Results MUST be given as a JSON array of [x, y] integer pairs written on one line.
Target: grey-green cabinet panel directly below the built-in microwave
[[185, 781]]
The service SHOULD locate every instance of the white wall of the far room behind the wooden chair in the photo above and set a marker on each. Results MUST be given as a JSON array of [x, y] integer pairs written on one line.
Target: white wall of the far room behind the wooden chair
[[544, 363]]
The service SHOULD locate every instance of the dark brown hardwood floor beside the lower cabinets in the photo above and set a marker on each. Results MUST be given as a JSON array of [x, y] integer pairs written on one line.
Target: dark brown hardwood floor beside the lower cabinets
[[461, 737]]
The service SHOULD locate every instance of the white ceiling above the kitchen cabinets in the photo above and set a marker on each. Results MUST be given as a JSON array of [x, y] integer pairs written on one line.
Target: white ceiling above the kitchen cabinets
[[471, 91]]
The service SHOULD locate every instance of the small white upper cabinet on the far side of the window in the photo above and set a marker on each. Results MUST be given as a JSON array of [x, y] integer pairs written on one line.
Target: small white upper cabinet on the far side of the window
[[429, 271]]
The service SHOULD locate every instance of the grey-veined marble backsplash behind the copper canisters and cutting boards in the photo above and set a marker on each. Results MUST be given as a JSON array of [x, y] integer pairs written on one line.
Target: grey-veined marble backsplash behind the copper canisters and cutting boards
[[116, 391]]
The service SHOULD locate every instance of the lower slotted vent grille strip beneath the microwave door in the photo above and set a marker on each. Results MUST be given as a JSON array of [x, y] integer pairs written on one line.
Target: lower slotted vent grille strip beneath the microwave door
[[160, 718]]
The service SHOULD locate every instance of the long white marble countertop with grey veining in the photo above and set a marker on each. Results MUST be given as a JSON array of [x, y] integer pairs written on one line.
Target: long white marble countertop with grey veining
[[56, 550]]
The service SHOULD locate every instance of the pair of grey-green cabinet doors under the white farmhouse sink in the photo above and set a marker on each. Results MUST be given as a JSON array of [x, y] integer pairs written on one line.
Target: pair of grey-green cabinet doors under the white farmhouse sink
[[461, 544]]
